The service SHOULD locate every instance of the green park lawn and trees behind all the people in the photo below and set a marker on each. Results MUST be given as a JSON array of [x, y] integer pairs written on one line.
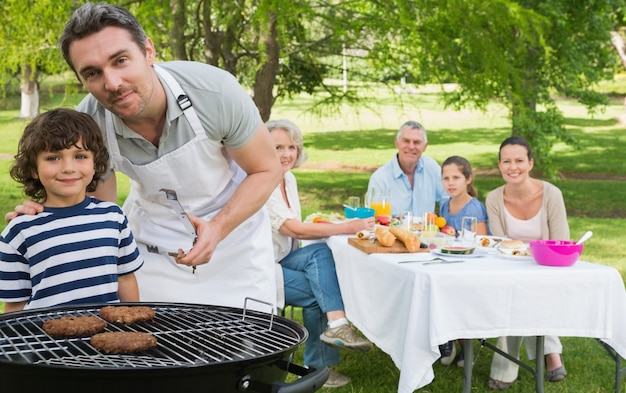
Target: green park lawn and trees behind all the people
[[349, 73]]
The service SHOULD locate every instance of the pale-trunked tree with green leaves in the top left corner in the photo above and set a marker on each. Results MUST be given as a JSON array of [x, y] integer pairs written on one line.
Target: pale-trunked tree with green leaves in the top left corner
[[28, 42]]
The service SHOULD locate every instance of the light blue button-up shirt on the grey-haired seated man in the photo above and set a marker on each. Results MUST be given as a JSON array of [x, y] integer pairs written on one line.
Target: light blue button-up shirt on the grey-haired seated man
[[427, 186]]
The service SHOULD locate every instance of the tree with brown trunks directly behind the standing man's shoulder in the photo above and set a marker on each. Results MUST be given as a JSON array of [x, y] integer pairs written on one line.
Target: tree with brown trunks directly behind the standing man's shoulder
[[275, 47]]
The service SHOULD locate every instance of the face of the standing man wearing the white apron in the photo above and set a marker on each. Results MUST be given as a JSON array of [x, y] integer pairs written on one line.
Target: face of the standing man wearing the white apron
[[115, 70]]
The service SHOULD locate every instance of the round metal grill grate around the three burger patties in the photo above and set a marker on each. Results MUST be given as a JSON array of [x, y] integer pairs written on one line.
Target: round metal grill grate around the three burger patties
[[187, 335]]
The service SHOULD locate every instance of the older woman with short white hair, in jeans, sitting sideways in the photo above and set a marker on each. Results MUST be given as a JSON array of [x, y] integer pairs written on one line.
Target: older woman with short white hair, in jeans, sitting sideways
[[308, 273]]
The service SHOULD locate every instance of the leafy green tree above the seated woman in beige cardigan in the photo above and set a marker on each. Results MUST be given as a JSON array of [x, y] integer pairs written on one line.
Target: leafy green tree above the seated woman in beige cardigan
[[517, 52]]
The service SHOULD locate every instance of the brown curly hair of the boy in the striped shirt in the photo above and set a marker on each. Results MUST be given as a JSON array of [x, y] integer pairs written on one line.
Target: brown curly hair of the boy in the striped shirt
[[56, 130]]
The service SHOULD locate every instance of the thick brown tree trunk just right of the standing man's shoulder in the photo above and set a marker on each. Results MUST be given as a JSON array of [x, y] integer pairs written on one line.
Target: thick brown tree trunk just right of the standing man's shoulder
[[266, 75]]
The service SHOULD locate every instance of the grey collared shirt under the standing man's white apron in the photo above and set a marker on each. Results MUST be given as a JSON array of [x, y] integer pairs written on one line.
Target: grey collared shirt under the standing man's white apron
[[225, 109]]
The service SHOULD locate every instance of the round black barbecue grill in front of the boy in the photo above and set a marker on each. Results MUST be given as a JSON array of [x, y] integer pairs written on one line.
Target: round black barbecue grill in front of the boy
[[200, 349]]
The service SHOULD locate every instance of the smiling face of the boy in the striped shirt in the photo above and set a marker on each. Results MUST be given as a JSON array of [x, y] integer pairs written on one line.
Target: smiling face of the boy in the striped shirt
[[65, 174]]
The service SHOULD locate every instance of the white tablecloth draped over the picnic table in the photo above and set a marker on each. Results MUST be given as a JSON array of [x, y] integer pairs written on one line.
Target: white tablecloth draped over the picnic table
[[408, 309]]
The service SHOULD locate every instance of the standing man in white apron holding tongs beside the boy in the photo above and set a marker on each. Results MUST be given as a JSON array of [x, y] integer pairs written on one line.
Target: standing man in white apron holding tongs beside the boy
[[191, 128]]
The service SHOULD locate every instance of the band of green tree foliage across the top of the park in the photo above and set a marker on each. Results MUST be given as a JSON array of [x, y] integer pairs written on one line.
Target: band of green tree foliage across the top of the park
[[517, 52]]
